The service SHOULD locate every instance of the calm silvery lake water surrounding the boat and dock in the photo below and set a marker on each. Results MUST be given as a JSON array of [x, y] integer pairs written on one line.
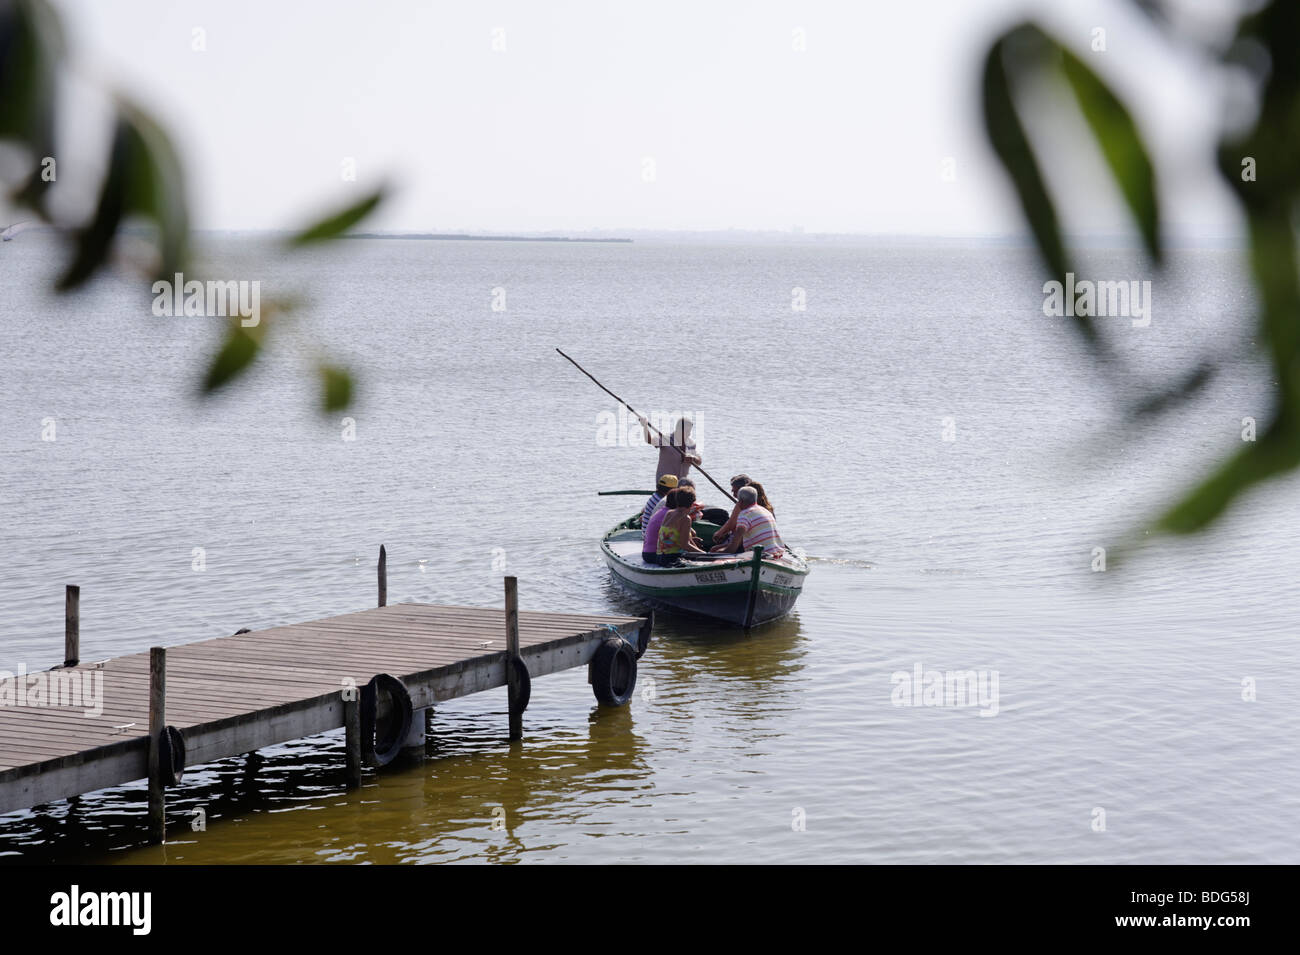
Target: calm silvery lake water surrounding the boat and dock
[[939, 448]]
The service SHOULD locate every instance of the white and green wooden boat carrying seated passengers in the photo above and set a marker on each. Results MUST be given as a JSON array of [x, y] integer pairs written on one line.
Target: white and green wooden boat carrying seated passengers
[[744, 589]]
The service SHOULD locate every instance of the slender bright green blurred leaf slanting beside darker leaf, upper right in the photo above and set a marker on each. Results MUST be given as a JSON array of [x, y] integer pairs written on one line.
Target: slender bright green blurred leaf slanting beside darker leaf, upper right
[[1121, 146]]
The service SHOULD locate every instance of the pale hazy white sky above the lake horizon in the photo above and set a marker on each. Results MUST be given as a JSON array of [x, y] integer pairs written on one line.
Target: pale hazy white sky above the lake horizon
[[553, 133]]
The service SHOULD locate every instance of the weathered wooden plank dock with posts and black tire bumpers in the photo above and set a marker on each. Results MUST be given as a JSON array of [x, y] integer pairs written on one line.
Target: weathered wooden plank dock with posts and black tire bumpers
[[374, 674]]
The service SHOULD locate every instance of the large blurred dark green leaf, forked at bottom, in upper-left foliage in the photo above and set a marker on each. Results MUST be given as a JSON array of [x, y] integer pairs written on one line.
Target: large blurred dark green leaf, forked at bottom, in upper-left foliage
[[144, 179]]
